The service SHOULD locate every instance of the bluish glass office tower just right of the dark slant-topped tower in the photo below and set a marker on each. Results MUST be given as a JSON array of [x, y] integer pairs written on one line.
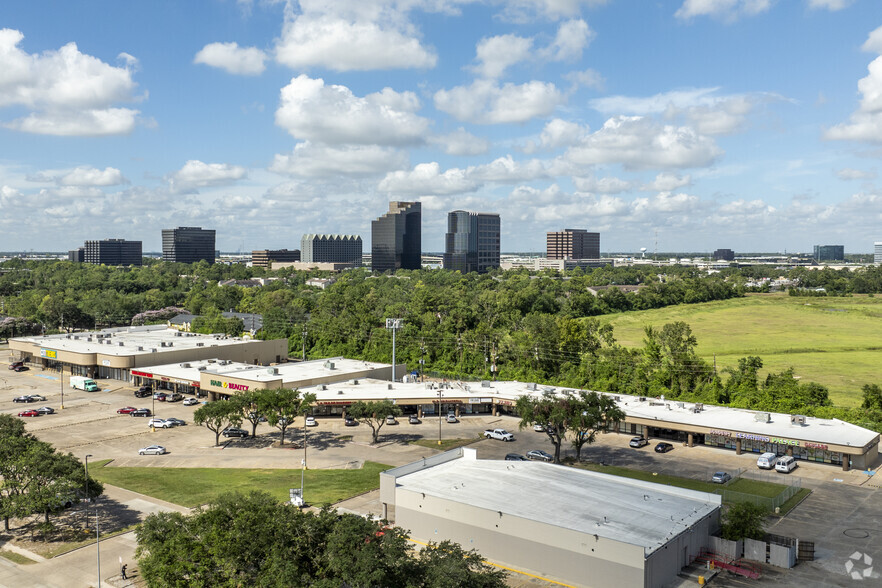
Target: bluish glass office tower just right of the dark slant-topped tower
[[472, 241]]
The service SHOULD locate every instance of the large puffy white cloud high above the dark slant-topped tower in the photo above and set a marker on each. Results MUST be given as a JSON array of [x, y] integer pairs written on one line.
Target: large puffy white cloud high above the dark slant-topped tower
[[332, 114]]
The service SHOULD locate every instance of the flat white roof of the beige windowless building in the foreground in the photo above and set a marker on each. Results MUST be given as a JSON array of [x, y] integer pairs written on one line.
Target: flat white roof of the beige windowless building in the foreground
[[621, 509]]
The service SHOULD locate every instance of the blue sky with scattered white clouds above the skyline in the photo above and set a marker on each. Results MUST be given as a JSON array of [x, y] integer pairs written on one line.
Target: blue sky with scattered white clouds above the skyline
[[754, 125]]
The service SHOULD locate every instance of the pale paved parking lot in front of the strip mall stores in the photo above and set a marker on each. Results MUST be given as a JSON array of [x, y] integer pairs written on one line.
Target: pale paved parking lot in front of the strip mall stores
[[842, 516]]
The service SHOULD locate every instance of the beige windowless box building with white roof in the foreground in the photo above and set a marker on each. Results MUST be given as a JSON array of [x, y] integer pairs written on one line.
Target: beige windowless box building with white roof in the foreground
[[573, 526]]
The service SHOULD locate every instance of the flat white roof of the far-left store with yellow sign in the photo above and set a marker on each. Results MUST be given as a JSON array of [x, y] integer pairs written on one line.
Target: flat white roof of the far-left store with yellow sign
[[127, 341]]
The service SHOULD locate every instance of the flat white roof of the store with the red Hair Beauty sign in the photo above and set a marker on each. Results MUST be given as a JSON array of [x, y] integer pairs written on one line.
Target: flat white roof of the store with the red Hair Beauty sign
[[287, 372]]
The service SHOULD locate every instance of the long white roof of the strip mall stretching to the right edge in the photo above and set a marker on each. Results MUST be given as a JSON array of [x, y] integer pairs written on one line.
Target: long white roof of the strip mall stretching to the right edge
[[816, 430]]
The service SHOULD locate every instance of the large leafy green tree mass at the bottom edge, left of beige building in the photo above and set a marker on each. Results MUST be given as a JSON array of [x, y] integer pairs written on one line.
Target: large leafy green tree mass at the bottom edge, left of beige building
[[253, 540]]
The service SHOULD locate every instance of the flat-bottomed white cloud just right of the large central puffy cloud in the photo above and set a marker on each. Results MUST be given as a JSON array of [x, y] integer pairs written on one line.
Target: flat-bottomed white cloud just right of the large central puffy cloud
[[485, 102]]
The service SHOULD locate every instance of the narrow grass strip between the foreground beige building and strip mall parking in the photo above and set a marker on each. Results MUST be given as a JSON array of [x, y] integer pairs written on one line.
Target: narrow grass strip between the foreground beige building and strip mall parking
[[738, 490]]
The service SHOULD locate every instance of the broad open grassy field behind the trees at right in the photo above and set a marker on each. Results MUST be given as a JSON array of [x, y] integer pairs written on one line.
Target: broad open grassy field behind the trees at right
[[832, 341]]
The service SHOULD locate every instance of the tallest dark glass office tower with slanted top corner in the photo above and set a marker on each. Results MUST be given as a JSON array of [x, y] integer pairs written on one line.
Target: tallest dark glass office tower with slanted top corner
[[396, 241]]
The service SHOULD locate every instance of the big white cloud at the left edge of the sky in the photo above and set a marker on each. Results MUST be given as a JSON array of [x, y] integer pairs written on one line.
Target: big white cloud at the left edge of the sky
[[67, 92]]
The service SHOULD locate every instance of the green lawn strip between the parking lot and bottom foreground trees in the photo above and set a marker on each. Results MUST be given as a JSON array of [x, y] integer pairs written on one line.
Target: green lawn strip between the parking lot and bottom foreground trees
[[195, 486]]
